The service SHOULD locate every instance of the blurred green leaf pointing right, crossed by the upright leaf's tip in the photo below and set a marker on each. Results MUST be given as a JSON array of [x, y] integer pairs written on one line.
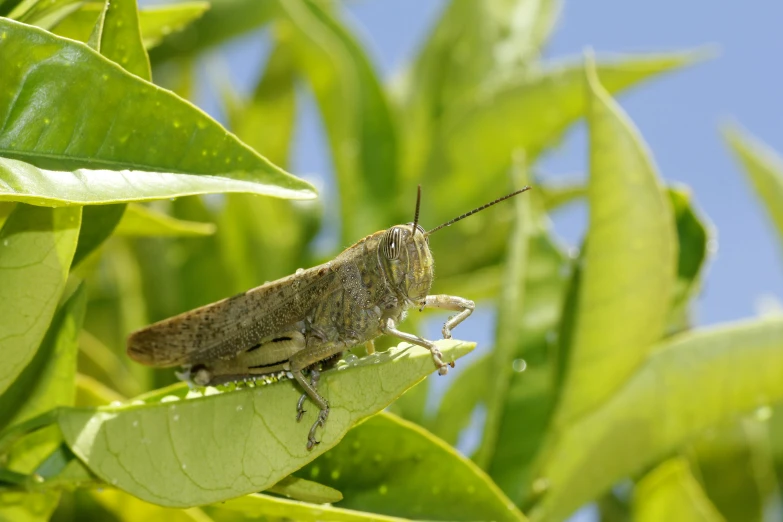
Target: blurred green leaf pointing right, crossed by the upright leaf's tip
[[529, 115]]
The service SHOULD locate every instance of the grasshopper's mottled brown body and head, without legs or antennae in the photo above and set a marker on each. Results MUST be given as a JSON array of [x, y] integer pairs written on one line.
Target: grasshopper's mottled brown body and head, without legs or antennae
[[333, 306]]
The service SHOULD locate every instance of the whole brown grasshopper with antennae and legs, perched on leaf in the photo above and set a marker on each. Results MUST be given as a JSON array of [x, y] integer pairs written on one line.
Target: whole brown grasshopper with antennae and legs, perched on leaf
[[310, 318]]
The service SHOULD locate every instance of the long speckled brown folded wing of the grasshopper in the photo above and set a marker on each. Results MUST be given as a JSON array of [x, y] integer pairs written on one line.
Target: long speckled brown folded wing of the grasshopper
[[232, 325]]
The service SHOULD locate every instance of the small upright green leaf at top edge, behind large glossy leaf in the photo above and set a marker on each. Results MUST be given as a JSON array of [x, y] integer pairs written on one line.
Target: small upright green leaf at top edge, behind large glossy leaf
[[121, 38]]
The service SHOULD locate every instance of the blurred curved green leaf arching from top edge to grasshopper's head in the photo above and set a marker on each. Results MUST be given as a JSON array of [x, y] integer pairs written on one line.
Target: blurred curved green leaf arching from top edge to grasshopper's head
[[355, 112]]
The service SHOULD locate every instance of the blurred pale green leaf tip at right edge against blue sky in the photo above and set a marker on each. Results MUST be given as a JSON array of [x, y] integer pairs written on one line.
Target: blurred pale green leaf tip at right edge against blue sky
[[764, 168]]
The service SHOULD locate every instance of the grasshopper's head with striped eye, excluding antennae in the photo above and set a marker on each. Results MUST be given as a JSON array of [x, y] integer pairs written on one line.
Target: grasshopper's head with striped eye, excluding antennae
[[404, 253]]
